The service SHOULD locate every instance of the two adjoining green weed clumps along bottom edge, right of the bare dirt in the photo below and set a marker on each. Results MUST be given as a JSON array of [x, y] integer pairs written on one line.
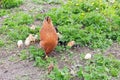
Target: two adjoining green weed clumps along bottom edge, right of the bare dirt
[[99, 67]]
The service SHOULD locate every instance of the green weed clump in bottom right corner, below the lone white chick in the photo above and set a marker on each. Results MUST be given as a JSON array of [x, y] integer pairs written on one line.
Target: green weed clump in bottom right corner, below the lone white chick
[[100, 67]]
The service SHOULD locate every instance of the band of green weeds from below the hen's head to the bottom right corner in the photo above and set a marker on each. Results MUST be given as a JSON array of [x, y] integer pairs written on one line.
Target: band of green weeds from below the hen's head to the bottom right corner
[[97, 68]]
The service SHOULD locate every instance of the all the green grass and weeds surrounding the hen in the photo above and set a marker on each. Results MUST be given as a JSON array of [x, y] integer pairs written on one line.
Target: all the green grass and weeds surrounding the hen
[[93, 23]]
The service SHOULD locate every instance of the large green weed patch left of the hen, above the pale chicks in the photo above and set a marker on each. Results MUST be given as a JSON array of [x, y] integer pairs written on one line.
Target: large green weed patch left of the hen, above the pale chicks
[[16, 26]]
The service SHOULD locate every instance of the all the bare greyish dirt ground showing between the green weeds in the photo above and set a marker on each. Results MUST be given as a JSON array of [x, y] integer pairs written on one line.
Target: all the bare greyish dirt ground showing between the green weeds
[[13, 68]]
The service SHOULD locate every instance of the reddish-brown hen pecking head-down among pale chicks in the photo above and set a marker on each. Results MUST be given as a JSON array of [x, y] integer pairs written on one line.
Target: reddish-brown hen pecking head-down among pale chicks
[[48, 36]]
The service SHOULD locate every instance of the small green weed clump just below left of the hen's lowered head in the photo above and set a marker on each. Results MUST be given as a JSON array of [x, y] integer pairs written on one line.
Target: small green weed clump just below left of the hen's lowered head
[[38, 55]]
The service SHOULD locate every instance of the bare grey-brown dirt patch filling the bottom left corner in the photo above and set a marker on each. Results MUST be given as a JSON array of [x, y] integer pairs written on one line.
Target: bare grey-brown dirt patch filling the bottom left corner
[[19, 70]]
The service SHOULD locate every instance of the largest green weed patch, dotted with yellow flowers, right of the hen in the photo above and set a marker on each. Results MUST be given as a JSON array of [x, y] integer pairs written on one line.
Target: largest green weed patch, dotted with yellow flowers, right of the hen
[[90, 23]]
